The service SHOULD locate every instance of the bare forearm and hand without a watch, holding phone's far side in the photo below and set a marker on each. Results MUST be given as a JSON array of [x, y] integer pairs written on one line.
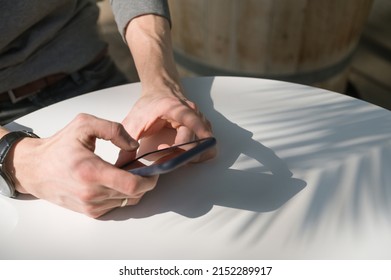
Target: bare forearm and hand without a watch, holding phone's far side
[[163, 103]]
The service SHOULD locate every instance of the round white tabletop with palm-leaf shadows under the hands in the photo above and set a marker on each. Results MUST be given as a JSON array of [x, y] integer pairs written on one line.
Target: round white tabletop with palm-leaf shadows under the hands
[[244, 204]]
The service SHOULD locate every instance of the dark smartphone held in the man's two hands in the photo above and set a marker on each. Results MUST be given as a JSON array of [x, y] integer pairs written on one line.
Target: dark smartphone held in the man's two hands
[[165, 160]]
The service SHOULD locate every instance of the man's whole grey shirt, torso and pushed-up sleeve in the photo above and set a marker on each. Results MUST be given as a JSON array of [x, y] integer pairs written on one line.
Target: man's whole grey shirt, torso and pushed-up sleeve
[[42, 37]]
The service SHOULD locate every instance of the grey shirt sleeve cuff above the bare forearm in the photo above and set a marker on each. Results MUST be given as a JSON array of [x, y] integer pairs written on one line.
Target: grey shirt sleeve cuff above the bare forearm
[[126, 10]]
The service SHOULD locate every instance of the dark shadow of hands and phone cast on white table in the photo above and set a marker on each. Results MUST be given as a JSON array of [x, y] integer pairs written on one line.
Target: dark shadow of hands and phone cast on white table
[[193, 190]]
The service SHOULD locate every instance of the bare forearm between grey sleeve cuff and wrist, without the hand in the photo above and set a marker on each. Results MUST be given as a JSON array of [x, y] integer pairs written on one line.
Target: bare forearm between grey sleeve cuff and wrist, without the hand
[[149, 41]]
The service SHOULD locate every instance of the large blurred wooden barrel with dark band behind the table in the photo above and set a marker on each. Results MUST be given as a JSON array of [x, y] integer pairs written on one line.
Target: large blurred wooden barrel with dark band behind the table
[[303, 41]]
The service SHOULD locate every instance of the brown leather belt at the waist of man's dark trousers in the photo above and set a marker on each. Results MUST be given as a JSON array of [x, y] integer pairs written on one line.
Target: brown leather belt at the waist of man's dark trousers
[[17, 94]]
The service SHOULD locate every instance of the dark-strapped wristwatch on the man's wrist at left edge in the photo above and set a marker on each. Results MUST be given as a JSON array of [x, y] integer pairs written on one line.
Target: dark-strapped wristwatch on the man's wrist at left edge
[[7, 187]]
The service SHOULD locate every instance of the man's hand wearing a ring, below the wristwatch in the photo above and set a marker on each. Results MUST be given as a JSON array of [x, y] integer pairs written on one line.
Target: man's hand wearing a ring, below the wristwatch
[[63, 168]]
